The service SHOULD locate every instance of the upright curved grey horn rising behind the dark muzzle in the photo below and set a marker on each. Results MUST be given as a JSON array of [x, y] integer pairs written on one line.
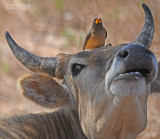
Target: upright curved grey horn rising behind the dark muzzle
[[147, 33]]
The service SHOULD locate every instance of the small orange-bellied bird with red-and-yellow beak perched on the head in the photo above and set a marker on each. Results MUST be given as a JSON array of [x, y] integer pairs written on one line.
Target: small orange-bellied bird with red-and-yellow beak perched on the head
[[96, 35]]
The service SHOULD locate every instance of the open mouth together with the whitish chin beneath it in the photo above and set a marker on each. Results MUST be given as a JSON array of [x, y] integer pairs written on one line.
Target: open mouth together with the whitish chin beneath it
[[131, 82]]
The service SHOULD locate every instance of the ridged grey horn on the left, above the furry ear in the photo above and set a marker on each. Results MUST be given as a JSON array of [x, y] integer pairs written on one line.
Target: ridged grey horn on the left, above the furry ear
[[31, 61]]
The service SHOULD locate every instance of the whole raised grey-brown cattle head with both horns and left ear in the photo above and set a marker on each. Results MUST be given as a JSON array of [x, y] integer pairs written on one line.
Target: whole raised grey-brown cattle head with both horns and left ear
[[107, 87]]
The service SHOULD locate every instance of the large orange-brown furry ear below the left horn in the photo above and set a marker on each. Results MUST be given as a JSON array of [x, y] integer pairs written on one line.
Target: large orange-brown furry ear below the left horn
[[43, 90]]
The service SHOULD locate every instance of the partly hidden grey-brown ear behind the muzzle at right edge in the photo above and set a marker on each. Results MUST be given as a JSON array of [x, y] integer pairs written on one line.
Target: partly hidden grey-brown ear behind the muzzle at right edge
[[155, 86]]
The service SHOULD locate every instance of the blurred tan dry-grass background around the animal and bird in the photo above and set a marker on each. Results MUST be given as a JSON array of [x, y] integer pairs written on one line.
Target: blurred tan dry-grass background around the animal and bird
[[49, 27]]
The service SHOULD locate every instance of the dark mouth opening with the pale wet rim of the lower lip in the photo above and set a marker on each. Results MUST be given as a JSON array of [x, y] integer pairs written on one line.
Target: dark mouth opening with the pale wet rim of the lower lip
[[133, 74]]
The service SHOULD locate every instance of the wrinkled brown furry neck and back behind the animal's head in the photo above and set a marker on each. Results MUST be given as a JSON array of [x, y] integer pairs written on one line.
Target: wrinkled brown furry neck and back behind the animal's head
[[57, 125]]
